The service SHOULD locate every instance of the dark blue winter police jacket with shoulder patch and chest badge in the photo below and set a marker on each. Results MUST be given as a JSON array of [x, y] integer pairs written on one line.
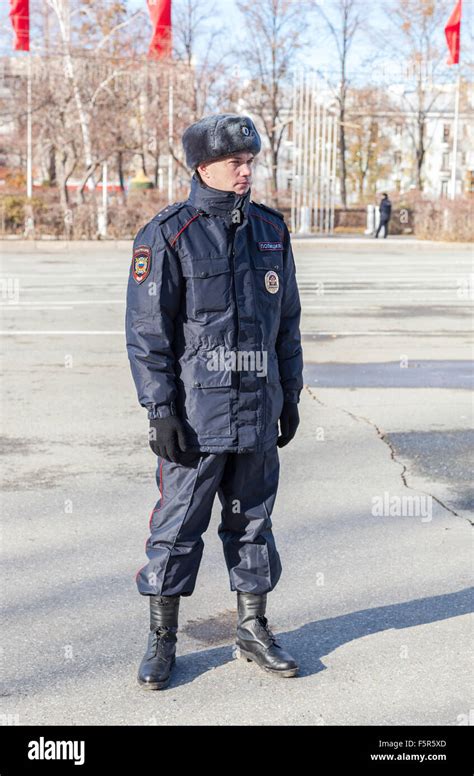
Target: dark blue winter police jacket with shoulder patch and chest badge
[[213, 319]]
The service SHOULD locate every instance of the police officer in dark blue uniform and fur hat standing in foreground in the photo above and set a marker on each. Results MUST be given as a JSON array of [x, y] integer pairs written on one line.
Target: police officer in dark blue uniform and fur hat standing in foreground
[[213, 339]]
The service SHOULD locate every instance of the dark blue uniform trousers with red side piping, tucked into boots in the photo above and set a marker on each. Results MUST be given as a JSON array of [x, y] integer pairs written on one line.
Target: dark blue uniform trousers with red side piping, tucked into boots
[[247, 485]]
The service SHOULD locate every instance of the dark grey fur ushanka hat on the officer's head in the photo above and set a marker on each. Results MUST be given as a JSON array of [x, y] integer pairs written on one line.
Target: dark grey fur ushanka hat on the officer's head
[[220, 135]]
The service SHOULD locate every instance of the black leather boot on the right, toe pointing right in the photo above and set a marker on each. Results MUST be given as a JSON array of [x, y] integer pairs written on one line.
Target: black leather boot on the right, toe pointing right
[[255, 641]]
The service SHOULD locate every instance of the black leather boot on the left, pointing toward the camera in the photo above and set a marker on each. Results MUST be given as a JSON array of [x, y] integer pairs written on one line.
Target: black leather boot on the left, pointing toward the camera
[[155, 669]]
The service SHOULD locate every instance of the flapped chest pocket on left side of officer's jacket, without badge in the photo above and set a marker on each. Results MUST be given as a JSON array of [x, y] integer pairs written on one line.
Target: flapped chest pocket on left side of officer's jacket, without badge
[[208, 284]]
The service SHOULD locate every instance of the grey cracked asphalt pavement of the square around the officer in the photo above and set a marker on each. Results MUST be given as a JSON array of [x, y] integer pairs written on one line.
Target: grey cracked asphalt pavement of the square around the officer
[[373, 518]]
